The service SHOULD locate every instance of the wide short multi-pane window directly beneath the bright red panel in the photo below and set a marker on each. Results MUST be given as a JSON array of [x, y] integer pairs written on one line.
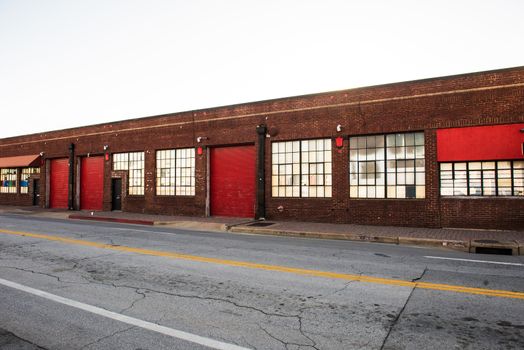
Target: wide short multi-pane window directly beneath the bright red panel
[[494, 178]]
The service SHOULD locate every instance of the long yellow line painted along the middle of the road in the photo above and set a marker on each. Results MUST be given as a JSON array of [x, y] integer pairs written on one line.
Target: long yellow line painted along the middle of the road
[[276, 268]]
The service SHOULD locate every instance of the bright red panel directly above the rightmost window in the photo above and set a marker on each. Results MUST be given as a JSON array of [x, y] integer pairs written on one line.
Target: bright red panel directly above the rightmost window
[[480, 143]]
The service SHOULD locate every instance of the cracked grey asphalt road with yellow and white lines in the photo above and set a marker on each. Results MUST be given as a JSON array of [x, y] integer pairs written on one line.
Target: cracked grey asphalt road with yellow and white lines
[[85, 285]]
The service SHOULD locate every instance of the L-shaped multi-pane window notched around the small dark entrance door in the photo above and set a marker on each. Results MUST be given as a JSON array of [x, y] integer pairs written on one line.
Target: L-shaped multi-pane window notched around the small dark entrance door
[[133, 162]]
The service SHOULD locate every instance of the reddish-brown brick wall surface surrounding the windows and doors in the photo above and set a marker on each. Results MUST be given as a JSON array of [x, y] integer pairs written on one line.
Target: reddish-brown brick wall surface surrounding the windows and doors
[[486, 98]]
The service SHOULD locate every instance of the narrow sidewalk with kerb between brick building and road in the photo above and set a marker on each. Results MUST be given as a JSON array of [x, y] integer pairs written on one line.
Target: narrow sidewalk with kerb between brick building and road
[[458, 239]]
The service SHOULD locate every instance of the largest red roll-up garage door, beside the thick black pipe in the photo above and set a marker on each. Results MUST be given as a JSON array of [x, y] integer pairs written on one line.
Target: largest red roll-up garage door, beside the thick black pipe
[[233, 181]]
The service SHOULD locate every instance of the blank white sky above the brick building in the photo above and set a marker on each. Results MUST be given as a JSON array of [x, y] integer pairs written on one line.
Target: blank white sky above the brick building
[[70, 63]]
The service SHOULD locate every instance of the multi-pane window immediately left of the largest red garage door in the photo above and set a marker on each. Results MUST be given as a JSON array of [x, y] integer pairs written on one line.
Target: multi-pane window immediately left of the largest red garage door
[[175, 173]]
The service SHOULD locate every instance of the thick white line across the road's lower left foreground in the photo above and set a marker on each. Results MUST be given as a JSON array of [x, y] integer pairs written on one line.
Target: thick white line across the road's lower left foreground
[[193, 338]]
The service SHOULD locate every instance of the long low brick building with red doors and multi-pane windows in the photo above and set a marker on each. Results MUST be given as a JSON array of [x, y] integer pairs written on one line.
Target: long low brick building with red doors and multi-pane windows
[[441, 152]]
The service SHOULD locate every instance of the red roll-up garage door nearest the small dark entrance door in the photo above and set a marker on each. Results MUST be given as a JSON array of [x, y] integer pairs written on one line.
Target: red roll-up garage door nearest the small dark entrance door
[[91, 183]]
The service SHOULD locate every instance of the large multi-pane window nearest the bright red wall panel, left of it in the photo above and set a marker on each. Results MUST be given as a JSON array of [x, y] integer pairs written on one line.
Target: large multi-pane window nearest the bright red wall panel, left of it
[[387, 166]]
